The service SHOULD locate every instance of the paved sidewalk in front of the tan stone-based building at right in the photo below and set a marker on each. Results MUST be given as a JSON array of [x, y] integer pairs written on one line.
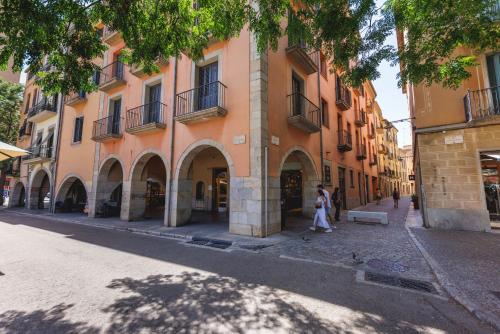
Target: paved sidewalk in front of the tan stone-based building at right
[[467, 265]]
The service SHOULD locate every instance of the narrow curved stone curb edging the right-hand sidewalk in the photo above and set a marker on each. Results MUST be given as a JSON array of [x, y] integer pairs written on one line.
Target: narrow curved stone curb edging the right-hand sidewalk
[[451, 289]]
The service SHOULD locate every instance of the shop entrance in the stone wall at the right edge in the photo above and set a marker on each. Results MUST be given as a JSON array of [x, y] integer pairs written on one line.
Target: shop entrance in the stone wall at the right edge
[[490, 171]]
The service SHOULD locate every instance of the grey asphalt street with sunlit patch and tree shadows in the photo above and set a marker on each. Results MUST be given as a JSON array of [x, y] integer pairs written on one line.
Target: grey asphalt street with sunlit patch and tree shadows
[[66, 278]]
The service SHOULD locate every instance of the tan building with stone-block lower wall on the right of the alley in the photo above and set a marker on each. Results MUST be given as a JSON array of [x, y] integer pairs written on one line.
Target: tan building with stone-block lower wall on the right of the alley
[[456, 142]]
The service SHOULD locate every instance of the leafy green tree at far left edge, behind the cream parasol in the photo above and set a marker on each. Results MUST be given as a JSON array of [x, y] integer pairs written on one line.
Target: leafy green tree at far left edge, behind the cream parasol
[[10, 102]]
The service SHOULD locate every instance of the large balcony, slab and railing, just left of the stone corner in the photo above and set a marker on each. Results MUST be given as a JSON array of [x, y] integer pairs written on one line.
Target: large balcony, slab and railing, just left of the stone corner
[[201, 104]]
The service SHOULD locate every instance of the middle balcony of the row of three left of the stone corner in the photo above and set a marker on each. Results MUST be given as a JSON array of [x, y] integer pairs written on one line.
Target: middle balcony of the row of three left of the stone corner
[[146, 118]]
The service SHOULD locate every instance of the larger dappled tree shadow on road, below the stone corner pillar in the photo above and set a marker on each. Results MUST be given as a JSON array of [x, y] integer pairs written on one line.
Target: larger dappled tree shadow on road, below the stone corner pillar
[[198, 303]]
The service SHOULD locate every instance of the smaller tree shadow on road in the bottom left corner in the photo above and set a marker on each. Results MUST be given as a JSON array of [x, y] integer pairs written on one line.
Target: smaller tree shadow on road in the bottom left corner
[[43, 321]]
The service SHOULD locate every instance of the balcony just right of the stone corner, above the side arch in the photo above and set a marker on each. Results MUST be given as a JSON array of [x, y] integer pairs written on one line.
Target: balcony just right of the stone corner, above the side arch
[[303, 114]]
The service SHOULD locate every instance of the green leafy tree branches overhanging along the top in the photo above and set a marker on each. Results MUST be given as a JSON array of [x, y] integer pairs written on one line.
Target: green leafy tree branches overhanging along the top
[[351, 33]]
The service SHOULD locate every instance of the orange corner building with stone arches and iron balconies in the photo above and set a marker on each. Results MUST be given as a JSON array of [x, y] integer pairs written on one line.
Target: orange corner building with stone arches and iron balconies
[[238, 137]]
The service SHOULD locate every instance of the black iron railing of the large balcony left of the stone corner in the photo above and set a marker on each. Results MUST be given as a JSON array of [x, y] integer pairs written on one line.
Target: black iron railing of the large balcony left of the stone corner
[[208, 96]]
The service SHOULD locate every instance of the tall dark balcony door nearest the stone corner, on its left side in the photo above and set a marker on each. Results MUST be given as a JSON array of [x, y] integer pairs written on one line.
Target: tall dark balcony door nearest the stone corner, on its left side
[[208, 89]]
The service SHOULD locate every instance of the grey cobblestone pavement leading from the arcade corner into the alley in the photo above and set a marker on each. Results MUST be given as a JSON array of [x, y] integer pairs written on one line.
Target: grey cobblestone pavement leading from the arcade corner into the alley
[[375, 244]]
